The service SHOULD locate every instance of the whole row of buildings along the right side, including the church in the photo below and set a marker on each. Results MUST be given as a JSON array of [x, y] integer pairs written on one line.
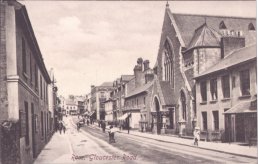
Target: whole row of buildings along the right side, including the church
[[205, 75]]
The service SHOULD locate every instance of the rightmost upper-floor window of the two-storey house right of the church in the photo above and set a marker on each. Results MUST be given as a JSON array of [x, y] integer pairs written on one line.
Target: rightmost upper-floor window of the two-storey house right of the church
[[245, 82]]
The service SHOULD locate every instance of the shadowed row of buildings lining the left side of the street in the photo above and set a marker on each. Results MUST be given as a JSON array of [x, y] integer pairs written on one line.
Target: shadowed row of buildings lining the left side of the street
[[28, 94]]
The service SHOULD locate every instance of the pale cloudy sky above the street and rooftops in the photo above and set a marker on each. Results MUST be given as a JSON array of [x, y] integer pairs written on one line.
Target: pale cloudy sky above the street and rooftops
[[90, 42]]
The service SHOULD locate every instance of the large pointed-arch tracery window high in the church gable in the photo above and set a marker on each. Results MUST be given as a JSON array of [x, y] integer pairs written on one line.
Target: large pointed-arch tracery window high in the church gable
[[167, 63]]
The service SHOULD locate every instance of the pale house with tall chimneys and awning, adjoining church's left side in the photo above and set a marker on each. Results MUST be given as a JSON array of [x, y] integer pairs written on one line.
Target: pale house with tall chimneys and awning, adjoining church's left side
[[136, 111]]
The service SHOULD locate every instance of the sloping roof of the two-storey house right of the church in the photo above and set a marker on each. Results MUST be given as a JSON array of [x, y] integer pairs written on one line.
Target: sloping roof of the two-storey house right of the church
[[236, 57]]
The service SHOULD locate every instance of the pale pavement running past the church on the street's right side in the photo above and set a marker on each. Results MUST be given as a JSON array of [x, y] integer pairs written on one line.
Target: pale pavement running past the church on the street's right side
[[230, 148]]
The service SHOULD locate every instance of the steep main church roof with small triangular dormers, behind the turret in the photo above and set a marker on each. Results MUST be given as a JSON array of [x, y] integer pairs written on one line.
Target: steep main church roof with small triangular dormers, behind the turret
[[187, 24]]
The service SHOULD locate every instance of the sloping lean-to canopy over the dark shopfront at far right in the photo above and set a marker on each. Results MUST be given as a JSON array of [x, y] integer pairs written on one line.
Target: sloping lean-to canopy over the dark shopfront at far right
[[243, 107]]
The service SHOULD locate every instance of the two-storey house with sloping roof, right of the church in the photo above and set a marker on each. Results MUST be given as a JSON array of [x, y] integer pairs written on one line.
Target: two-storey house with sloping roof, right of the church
[[224, 94]]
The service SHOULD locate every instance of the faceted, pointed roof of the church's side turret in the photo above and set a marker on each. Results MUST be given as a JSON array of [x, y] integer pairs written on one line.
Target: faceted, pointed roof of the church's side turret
[[205, 36]]
